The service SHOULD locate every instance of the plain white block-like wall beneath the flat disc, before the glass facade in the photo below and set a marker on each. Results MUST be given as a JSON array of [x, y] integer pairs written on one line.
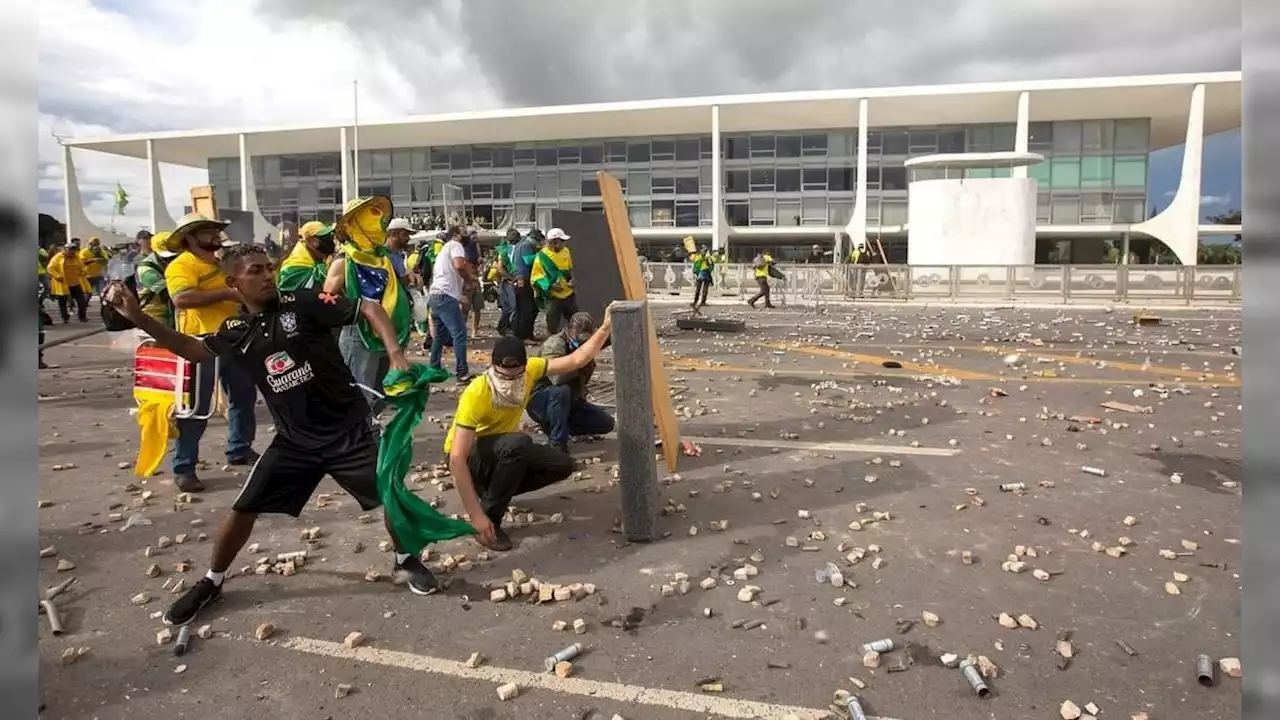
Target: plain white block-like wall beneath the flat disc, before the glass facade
[[972, 222]]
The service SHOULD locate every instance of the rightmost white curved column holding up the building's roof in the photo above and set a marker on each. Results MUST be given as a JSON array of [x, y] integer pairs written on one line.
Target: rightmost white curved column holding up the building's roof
[[1178, 226]]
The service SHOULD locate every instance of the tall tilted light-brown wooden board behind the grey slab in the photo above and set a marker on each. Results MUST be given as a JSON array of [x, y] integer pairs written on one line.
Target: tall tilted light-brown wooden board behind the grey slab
[[633, 289]]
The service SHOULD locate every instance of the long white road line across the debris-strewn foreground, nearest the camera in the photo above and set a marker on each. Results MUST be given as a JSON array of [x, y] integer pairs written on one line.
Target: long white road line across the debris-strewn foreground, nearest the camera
[[637, 695]]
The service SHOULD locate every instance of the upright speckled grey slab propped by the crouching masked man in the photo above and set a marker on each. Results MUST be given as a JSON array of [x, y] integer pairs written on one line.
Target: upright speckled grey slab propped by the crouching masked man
[[638, 472]]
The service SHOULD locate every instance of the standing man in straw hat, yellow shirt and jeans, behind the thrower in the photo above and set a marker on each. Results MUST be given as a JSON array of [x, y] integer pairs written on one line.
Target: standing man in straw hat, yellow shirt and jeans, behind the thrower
[[199, 290]]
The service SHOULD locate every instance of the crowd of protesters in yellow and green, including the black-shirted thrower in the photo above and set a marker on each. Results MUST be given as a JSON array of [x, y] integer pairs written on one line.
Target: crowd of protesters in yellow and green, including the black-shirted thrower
[[317, 329]]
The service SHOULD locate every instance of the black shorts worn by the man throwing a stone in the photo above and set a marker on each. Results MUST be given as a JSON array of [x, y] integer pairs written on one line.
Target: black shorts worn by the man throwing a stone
[[284, 480]]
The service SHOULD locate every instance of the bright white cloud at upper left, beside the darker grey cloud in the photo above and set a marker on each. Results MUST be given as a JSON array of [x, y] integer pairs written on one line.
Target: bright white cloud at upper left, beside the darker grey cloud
[[107, 71]]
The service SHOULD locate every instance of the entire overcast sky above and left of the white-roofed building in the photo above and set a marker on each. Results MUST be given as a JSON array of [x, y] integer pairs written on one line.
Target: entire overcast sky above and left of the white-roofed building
[[130, 66]]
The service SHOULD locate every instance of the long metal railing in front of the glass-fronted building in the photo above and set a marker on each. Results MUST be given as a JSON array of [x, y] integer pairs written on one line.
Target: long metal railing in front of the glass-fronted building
[[811, 285]]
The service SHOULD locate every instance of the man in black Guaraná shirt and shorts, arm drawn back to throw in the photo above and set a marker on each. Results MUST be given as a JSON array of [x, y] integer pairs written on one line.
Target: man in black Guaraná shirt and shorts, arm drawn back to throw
[[286, 341]]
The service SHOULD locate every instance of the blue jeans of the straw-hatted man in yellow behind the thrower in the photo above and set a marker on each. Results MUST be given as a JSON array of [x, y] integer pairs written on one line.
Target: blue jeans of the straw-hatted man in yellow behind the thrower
[[241, 425]]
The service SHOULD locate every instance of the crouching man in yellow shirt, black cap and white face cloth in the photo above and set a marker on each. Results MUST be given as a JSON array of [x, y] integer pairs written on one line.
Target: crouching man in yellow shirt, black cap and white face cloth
[[492, 462]]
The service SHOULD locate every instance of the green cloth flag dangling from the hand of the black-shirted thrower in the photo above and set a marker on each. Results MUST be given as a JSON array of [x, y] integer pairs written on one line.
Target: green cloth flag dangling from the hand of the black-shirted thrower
[[413, 522]]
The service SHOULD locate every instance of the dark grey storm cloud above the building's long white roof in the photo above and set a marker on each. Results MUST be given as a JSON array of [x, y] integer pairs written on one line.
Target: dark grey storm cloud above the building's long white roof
[[555, 52]]
